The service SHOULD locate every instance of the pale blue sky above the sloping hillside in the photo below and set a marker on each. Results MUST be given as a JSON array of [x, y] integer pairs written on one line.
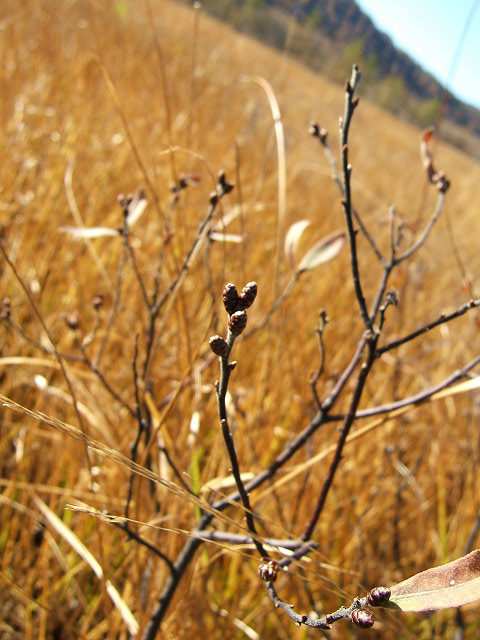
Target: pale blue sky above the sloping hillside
[[441, 35]]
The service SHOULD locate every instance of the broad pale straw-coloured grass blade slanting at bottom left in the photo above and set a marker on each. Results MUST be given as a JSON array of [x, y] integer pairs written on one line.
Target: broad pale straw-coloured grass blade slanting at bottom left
[[78, 546]]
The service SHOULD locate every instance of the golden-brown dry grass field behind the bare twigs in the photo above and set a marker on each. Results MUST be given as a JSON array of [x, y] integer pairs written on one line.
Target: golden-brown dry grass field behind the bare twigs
[[99, 98]]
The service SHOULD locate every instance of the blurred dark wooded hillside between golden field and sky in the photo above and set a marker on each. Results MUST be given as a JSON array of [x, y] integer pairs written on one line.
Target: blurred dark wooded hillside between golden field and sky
[[330, 35]]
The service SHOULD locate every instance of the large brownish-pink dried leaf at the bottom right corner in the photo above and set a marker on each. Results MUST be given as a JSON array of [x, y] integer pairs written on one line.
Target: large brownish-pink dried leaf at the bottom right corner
[[450, 585]]
